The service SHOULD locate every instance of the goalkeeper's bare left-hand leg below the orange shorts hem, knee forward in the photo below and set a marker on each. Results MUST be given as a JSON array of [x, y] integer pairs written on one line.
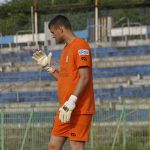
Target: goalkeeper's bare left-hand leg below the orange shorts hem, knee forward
[[56, 143]]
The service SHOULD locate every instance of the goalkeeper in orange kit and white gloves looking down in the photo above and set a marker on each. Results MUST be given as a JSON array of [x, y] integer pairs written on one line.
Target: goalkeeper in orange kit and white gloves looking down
[[75, 87]]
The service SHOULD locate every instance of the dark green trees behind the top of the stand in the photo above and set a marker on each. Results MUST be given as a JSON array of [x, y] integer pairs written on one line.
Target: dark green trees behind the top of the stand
[[16, 15]]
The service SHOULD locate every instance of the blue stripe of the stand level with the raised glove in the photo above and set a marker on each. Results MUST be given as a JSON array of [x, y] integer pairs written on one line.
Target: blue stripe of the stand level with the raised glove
[[25, 55]]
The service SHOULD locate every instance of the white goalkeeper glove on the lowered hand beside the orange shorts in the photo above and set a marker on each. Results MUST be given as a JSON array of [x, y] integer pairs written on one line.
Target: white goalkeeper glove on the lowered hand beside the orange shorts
[[66, 110]]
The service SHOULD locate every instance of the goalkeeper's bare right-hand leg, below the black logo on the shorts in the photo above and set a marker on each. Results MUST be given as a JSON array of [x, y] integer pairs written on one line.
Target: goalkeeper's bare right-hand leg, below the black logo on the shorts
[[76, 145]]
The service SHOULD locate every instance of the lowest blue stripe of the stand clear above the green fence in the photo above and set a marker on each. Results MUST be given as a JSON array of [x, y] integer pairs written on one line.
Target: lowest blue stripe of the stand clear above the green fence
[[109, 94]]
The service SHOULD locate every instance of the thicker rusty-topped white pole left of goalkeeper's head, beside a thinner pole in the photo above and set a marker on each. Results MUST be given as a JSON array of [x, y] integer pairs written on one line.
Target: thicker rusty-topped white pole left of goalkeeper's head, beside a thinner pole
[[36, 21]]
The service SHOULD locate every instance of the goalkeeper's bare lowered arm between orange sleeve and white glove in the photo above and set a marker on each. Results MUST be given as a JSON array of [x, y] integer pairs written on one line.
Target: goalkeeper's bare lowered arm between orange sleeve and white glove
[[83, 80]]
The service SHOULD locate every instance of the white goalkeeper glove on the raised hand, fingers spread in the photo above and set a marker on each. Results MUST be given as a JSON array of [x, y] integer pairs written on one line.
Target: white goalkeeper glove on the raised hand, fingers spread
[[43, 60]]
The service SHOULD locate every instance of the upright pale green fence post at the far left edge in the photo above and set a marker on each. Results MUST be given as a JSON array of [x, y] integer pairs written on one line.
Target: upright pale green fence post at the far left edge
[[2, 128]]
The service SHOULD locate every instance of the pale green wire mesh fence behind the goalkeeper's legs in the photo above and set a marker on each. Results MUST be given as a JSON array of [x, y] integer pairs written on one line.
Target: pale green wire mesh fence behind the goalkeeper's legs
[[115, 126]]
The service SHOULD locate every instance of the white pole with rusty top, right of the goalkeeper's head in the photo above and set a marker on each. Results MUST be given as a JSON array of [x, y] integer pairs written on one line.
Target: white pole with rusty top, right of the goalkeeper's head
[[96, 20]]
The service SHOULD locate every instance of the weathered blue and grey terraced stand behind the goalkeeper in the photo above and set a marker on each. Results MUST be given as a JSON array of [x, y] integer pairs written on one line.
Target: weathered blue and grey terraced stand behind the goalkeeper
[[121, 76]]
